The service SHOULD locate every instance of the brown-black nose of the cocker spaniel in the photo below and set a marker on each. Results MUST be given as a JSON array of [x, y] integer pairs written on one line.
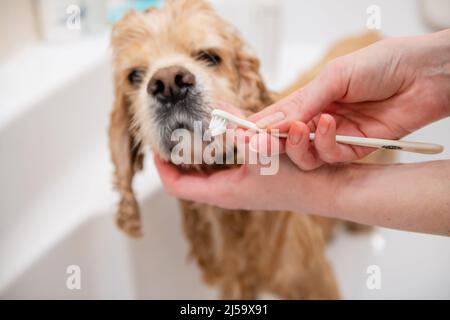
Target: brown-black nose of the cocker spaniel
[[170, 84]]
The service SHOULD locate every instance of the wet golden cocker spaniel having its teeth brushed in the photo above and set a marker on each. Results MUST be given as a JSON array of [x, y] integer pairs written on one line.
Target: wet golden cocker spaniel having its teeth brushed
[[170, 65]]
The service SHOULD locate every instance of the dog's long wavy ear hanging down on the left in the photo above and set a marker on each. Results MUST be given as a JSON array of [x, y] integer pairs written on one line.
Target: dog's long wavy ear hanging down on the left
[[127, 159]]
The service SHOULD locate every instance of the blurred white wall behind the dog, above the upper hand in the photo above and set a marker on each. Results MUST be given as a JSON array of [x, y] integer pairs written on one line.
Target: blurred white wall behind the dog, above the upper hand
[[274, 26]]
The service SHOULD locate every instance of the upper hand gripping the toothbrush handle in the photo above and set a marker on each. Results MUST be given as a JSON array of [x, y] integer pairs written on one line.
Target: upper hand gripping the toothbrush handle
[[386, 90]]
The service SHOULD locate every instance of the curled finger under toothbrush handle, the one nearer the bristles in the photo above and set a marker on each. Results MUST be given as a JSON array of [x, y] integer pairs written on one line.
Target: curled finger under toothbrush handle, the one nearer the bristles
[[298, 147]]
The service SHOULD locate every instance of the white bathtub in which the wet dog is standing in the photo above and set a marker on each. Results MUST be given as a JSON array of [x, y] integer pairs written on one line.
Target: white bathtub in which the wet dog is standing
[[57, 207]]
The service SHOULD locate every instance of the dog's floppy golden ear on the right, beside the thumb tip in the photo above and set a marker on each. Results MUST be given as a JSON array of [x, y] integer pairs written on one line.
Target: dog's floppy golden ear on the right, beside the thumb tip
[[252, 89]]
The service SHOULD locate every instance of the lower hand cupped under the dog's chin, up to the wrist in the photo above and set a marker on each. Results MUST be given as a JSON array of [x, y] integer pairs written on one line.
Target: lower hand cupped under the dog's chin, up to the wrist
[[245, 188]]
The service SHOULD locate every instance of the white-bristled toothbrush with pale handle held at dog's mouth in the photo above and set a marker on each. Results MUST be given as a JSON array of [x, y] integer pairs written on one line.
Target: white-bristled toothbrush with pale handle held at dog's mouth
[[220, 118]]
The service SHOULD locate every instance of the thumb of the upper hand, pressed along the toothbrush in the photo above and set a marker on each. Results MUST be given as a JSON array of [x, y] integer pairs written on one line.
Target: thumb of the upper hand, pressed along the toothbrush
[[304, 104]]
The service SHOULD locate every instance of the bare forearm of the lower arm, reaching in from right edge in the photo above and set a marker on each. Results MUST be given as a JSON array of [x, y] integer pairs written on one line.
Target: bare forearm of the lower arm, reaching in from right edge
[[413, 197]]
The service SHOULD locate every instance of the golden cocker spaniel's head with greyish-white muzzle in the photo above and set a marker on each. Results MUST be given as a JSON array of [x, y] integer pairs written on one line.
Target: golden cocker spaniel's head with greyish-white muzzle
[[170, 65]]
